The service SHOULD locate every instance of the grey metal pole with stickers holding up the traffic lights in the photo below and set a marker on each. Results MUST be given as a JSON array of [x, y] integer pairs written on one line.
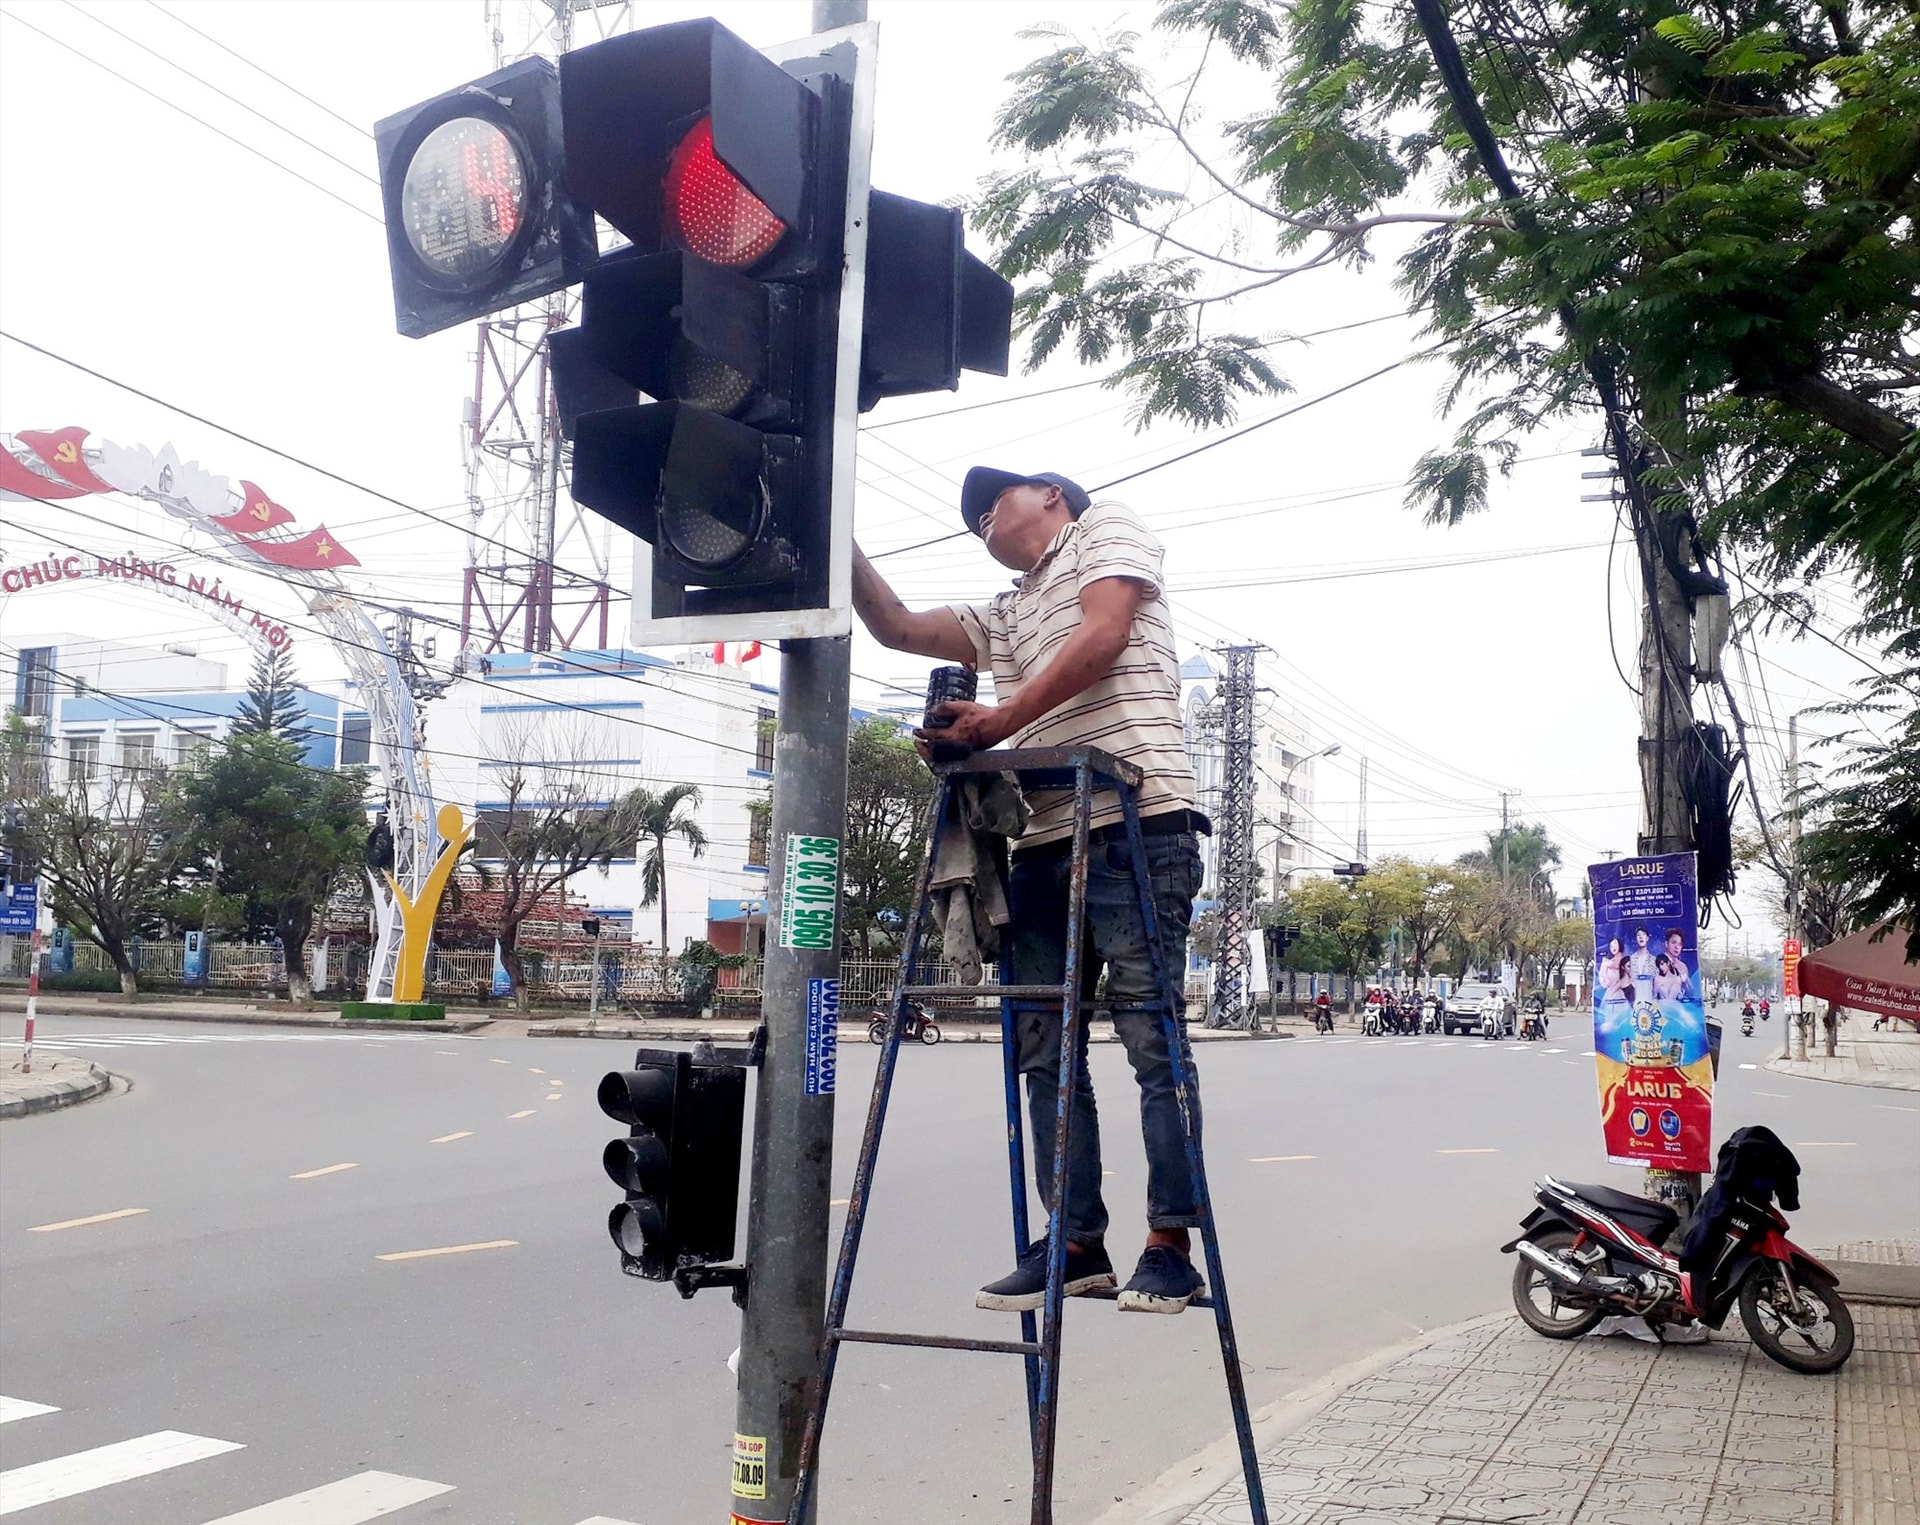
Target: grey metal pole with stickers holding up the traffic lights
[[792, 1132]]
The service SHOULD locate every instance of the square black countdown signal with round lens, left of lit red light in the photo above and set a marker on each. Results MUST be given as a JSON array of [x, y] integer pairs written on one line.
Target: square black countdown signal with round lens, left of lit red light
[[477, 212]]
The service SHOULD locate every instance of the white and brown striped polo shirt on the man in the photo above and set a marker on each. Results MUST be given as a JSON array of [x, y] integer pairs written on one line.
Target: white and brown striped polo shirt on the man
[[1136, 710]]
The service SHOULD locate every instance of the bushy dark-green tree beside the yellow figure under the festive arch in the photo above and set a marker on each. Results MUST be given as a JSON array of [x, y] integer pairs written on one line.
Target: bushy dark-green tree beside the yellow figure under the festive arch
[[277, 833]]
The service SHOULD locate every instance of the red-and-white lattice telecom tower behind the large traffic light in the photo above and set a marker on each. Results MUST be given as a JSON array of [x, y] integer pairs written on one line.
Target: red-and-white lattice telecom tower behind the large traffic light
[[537, 564]]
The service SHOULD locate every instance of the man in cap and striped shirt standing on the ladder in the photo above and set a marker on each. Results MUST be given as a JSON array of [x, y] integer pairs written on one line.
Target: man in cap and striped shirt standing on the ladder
[[1082, 654]]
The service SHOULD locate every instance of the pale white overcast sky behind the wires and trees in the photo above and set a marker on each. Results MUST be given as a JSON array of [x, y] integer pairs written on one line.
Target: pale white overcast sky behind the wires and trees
[[235, 268]]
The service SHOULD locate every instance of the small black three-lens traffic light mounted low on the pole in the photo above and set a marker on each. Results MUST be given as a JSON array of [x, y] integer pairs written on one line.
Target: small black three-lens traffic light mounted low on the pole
[[679, 1165]]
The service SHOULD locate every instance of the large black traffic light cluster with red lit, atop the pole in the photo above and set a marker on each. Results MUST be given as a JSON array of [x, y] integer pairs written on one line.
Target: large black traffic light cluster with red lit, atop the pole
[[765, 295]]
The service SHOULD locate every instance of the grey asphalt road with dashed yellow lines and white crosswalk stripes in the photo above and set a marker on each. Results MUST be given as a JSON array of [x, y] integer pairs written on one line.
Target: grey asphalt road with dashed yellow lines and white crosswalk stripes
[[264, 1180]]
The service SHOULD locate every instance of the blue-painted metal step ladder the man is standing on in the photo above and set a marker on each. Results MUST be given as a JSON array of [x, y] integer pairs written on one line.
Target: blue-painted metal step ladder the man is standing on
[[1086, 771]]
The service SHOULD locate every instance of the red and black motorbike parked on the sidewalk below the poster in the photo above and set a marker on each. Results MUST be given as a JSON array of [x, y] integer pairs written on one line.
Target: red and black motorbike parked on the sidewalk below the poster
[[1589, 1253]]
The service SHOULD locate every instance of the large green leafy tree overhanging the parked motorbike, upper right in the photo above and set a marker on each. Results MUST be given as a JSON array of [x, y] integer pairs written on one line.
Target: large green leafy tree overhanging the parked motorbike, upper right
[[1710, 212]]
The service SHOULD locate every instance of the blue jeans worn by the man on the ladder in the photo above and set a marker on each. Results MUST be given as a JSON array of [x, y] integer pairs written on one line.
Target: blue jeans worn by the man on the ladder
[[1116, 942]]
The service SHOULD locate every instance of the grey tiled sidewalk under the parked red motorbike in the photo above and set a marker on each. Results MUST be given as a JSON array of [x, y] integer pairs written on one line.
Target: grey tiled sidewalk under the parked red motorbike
[[1497, 1424]]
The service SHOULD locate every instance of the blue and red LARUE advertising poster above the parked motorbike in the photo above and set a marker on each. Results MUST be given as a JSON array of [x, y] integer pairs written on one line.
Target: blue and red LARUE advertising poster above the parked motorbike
[[1650, 1021]]
